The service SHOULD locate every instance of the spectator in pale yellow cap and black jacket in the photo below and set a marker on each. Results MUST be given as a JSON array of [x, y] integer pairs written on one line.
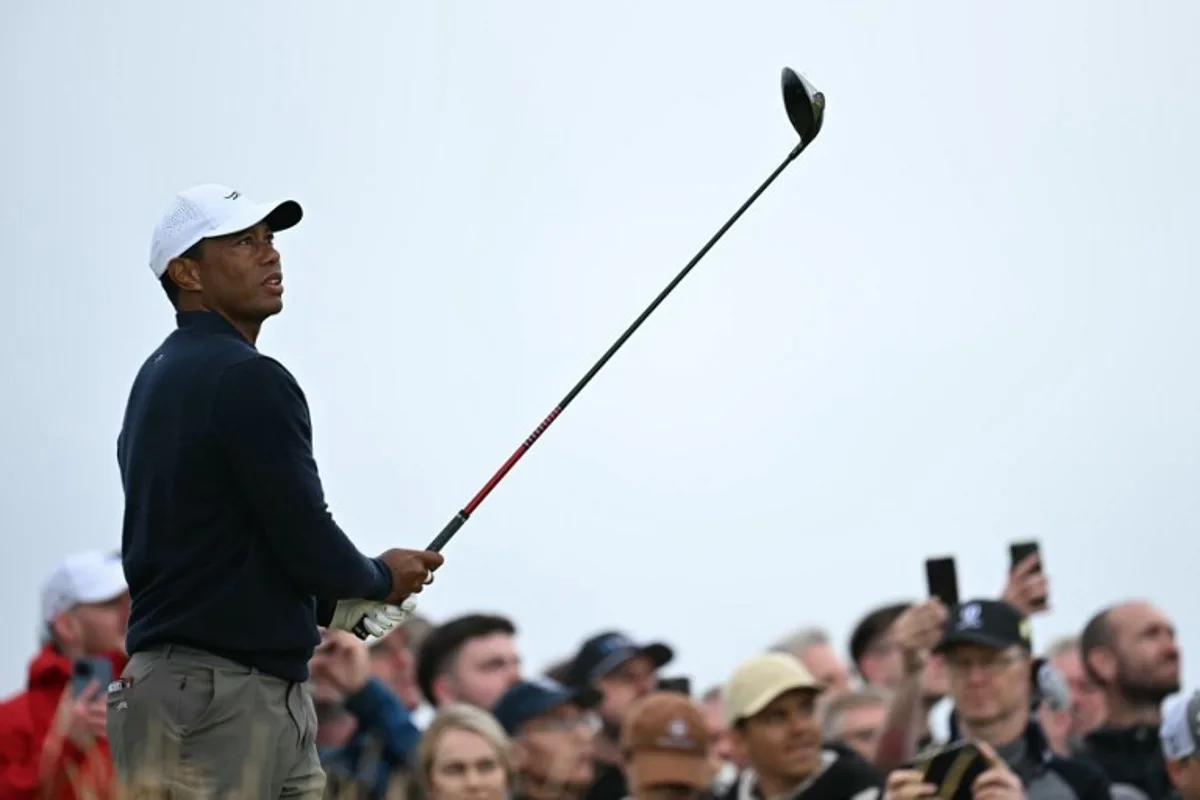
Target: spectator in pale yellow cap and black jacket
[[770, 706]]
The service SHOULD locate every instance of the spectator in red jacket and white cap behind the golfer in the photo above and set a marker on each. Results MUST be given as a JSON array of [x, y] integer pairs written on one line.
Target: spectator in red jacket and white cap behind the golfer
[[52, 741]]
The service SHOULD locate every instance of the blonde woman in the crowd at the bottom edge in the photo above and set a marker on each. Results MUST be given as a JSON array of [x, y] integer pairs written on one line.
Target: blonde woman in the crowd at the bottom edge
[[465, 755]]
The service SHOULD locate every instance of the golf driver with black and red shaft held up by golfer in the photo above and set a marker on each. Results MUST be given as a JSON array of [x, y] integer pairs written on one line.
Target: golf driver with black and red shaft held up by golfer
[[806, 111]]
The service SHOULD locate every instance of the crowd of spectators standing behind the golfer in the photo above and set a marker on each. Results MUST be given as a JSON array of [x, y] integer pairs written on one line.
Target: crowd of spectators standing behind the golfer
[[449, 711]]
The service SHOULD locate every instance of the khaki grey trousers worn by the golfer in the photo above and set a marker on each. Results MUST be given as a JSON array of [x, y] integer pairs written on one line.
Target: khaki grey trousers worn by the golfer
[[190, 725]]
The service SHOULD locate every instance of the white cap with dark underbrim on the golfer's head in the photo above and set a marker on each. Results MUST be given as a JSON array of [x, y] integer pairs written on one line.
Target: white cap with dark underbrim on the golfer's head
[[213, 210]]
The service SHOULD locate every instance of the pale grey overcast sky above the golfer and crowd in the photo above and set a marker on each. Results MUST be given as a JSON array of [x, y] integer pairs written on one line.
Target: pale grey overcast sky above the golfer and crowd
[[965, 316]]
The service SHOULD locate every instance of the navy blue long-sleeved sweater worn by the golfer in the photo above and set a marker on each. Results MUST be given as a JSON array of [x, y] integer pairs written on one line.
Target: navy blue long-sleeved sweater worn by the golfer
[[229, 544]]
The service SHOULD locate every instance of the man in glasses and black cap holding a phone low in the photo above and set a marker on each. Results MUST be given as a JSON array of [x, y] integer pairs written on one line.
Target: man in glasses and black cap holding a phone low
[[988, 655]]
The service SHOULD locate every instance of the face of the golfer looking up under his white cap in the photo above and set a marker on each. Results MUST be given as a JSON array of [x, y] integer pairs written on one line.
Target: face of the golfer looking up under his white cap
[[242, 275]]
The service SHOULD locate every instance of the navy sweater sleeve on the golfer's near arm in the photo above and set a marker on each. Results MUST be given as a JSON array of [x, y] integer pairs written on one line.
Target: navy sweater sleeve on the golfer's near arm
[[262, 419]]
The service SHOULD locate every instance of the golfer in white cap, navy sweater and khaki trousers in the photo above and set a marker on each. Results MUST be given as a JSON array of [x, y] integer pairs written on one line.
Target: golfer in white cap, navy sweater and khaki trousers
[[230, 551]]
